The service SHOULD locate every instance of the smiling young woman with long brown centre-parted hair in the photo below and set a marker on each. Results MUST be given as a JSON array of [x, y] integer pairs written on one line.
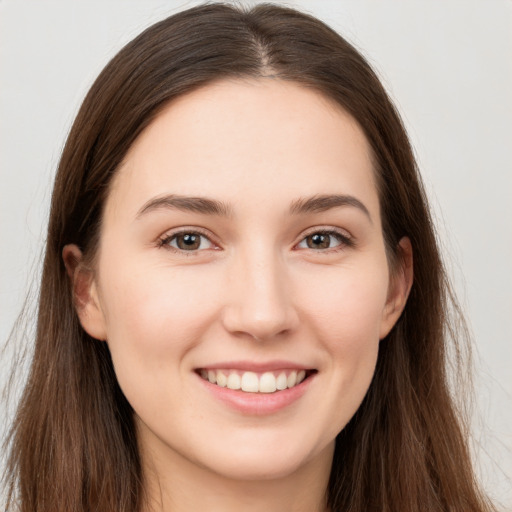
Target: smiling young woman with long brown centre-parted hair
[[243, 304]]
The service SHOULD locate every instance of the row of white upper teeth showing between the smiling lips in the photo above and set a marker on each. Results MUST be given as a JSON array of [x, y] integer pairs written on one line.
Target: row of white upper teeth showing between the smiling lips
[[255, 382]]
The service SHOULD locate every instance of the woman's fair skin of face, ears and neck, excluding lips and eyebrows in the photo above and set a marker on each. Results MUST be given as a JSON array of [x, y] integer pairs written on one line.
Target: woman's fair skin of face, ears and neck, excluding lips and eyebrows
[[253, 291]]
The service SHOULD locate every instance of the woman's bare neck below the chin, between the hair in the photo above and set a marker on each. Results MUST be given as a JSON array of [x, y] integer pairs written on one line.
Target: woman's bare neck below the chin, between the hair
[[178, 485]]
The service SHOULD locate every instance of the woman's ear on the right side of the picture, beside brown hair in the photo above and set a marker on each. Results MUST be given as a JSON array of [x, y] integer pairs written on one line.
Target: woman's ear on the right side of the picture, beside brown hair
[[399, 287]]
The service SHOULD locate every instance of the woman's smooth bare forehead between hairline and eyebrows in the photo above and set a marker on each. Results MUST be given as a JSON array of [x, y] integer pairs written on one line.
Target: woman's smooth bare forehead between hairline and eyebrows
[[267, 140]]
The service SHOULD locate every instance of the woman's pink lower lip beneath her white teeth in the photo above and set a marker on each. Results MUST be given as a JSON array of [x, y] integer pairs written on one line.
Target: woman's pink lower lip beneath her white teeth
[[258, 404]]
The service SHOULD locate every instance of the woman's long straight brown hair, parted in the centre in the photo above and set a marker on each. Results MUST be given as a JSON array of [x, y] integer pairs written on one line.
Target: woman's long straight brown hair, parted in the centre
[[73, 445]]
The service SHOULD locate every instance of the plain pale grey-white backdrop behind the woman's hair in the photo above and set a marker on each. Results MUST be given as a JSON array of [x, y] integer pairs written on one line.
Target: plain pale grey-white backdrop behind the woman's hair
[[448, 66]]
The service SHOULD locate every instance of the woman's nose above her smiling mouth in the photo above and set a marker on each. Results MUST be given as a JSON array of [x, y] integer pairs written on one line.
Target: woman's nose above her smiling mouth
[[260, 303]]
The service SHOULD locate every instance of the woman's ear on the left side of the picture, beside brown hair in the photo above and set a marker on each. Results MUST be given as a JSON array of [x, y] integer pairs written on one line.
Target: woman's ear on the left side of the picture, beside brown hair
[[85, 293]]
